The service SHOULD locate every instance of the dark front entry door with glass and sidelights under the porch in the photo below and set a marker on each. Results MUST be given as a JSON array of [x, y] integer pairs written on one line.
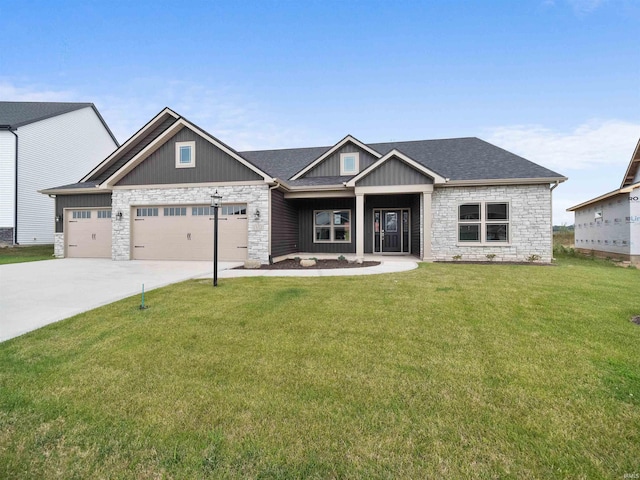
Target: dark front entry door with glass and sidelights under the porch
[[391, 230]]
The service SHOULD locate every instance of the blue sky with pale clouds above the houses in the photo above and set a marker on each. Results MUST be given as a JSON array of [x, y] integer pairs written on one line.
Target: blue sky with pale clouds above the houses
[[557, 82]]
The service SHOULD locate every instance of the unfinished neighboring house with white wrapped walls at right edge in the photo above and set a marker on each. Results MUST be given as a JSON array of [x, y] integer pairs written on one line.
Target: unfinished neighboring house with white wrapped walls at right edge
[[609, 225]]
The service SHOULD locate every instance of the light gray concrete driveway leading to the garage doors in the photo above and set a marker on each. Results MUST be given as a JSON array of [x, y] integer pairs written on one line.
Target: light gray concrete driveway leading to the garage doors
[[34, 294]]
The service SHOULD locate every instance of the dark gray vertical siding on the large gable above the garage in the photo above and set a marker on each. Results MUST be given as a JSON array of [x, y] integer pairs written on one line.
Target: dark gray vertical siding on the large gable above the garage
[[211, 165]]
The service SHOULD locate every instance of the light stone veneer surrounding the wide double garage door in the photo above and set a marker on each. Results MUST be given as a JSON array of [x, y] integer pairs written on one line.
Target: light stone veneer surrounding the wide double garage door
[[255, 196]]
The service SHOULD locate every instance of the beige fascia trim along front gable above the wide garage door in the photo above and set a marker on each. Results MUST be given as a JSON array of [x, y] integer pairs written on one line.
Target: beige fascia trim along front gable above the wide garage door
[[158, 142]]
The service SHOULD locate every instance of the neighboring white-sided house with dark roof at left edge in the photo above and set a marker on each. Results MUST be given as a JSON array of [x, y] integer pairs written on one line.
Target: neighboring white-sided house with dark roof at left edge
[[41, 143]]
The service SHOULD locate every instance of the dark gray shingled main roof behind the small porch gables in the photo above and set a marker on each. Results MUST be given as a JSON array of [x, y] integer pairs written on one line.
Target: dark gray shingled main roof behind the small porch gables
[[455, 158]]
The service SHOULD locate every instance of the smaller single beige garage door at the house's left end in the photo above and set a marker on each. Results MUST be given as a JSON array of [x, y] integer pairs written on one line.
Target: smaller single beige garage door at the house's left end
[[88, 233]]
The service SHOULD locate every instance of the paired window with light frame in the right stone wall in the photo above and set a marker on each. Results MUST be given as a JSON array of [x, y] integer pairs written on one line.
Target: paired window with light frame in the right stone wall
[[483, 222]]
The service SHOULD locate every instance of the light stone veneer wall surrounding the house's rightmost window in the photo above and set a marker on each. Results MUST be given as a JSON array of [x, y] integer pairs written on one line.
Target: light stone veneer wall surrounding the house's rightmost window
[[530, 225]]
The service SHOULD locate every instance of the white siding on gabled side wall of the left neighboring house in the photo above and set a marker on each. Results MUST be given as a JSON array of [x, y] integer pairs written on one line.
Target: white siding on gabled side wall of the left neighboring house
[[55, 151]]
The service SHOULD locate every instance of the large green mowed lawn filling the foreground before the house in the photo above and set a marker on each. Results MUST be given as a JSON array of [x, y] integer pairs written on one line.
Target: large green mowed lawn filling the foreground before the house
[[448, 371]]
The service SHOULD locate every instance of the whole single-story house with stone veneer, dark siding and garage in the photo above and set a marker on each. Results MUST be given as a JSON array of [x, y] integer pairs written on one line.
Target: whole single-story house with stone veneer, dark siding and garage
[[432, 199]]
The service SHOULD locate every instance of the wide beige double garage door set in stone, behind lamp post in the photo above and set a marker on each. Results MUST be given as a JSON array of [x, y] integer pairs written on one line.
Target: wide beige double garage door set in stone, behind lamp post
[[186, 232]]
